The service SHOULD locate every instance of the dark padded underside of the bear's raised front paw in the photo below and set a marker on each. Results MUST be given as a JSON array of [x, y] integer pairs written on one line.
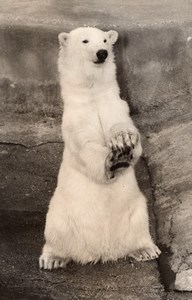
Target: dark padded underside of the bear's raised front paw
[[117, 160]]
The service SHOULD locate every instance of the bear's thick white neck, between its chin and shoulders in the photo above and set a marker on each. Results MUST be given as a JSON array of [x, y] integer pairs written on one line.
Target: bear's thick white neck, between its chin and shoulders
[[85, 83]]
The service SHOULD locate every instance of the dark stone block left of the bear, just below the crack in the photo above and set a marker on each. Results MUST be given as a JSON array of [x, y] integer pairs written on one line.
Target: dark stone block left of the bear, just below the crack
[[28, 176]]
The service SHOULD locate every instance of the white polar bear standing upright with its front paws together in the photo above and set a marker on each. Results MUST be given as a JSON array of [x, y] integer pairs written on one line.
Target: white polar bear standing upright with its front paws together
[[97, 211]]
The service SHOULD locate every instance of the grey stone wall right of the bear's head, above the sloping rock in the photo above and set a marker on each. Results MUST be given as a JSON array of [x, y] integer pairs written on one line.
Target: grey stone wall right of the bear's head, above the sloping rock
[[156, 78]]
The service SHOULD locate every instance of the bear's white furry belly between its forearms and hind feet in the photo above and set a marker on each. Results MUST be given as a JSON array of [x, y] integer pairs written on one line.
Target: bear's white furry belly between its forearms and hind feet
[[96, 225]]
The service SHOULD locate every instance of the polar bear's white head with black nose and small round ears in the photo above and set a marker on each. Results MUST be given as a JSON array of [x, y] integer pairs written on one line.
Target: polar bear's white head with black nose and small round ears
[[86, 45]]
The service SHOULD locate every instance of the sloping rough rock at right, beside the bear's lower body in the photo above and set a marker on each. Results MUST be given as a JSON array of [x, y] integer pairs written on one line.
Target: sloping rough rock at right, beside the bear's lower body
[[169, 155]]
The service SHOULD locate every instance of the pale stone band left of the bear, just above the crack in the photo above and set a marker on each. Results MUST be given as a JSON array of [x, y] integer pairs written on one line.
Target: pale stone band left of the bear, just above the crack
[[29, 130]]
